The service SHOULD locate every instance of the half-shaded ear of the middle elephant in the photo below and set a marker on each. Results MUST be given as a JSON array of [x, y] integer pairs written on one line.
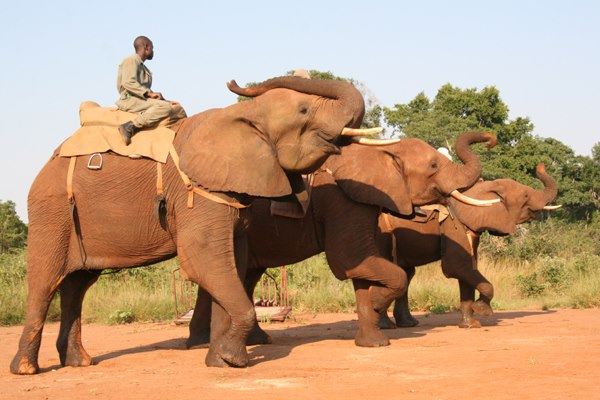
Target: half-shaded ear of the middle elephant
[[370, 175]]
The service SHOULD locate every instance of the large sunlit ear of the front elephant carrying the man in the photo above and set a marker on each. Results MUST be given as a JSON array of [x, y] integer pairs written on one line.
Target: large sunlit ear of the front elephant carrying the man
[[226, 154]]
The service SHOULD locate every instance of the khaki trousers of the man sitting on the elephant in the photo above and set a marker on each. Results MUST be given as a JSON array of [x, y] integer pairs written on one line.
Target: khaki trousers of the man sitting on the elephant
[[150, 111]]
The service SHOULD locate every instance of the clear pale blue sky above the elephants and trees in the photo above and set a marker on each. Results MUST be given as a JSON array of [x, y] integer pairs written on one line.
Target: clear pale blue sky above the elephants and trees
[[544, 57]]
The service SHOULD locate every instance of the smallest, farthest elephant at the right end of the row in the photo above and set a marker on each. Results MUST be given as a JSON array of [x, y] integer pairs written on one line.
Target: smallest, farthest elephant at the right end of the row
[[455, 241]]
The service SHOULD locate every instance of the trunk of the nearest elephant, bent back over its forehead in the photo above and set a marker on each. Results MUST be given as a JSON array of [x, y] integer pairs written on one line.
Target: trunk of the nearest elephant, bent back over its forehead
[[350, 99]]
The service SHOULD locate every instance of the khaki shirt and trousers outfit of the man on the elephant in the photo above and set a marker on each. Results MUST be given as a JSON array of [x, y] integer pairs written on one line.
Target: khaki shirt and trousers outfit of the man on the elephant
[[134, 80]]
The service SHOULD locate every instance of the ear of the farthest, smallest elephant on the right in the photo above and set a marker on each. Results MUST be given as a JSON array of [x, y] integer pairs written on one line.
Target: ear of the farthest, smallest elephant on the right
[[497, 219]]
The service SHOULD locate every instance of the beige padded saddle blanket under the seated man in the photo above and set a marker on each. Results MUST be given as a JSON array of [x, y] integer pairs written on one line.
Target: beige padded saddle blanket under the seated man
[[99, 134]]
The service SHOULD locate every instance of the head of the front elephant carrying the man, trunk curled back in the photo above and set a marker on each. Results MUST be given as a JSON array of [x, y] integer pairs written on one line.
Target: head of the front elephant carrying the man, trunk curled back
[[289, 126]]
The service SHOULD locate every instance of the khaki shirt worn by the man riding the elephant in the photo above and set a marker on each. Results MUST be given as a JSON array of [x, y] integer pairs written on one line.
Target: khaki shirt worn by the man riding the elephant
[[134, 78]]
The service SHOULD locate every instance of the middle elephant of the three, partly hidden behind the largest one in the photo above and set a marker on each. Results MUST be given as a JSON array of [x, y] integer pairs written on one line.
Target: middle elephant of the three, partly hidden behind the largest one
[[347, 196]]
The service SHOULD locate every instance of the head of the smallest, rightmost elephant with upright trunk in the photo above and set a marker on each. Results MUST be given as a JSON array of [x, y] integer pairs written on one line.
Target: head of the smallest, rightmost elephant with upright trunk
[[520, 203]]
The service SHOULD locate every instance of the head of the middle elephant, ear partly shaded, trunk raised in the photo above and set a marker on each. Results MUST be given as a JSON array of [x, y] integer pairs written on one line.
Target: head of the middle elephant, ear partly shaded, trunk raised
[[405, 174]]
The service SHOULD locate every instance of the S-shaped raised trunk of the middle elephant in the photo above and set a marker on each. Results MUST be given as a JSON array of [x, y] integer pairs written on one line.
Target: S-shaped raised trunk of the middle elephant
[[464, 176]]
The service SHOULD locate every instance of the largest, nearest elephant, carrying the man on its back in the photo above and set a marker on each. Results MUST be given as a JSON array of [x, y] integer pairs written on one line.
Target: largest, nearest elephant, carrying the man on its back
[[247, 150]]
